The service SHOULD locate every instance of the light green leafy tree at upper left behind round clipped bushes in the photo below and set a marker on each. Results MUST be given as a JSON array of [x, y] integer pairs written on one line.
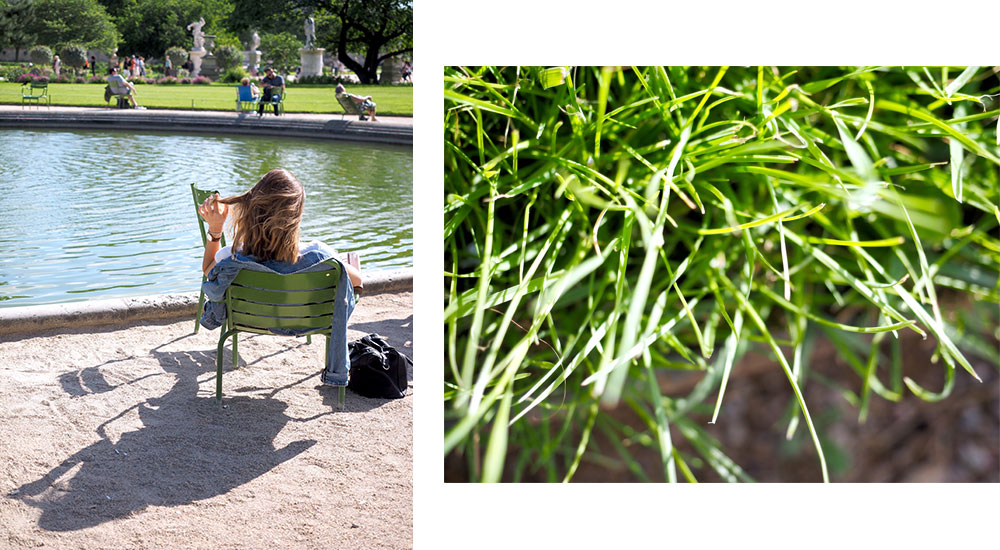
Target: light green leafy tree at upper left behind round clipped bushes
[[79, 21]]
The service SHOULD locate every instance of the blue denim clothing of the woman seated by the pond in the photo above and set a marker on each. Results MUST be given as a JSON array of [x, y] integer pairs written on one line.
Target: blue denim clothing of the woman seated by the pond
[[310, 259]]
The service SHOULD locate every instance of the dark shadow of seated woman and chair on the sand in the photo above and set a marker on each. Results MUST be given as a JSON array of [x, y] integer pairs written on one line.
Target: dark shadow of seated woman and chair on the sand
[[188, 448]]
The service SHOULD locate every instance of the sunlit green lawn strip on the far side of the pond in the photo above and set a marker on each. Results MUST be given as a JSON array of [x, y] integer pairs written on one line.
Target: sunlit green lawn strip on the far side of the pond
[[391, 100]]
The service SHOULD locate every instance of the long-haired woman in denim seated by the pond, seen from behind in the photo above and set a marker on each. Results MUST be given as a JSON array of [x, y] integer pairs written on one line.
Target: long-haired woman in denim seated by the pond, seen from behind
[[265, 237]]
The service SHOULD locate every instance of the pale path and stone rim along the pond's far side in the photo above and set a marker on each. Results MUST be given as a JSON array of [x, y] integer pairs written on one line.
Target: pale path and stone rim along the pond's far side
[[394, 130]]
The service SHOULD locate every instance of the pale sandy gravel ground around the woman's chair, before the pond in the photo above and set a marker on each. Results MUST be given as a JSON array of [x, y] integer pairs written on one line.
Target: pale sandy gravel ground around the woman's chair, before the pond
[[110, 437]]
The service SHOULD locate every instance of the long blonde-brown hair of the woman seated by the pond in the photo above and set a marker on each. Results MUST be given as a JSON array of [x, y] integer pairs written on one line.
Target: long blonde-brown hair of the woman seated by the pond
[[265, 219]]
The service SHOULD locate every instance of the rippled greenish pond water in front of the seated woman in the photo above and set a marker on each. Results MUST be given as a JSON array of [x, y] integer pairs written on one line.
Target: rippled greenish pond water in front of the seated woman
[[100, 214]]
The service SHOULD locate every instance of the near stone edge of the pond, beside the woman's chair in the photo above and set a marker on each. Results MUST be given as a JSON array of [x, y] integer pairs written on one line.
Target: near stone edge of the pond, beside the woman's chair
[[115, 311]]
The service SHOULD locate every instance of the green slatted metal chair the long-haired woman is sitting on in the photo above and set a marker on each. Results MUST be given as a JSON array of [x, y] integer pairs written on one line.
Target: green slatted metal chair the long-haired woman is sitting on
[[257, 301]]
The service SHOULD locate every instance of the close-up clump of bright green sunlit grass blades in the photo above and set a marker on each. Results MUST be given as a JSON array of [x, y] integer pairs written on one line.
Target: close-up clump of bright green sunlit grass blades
[[606, 225]]
